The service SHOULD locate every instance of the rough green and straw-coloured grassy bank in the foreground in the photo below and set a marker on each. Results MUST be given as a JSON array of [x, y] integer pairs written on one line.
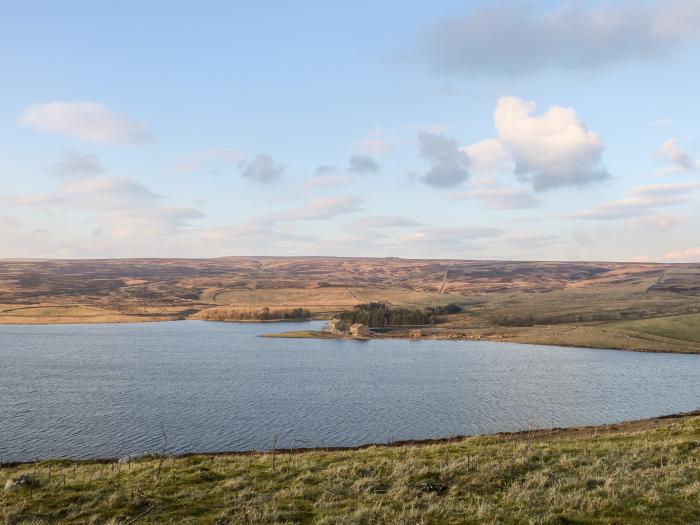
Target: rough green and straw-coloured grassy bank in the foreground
[[631, 473]]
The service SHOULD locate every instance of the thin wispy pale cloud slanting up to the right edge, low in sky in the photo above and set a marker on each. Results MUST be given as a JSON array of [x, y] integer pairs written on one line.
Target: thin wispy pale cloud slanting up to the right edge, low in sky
[[640, 201]]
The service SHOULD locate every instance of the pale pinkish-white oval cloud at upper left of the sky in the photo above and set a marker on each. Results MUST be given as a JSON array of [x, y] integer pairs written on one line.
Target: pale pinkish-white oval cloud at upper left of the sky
[[88, 121]]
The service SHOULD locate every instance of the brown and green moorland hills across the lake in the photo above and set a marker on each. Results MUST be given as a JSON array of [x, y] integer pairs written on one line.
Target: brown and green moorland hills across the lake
[[639, 306]]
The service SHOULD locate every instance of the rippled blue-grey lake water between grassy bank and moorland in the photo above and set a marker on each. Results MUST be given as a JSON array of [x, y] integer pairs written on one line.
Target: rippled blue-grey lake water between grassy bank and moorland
[[105, 390]]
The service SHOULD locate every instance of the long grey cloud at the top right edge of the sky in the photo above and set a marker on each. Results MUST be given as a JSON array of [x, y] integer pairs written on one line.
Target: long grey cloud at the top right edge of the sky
[[512, 38]]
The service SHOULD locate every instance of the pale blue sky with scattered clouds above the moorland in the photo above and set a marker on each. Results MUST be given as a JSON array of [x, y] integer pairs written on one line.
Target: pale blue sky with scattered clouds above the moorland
[[474, 130]]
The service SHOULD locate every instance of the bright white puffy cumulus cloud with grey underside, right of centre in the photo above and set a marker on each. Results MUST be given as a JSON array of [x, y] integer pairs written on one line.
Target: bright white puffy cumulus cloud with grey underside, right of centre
[[552, 150]]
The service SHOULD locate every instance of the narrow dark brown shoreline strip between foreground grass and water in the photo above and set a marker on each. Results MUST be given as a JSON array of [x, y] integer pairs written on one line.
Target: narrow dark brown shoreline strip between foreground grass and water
[[534, 435]]
